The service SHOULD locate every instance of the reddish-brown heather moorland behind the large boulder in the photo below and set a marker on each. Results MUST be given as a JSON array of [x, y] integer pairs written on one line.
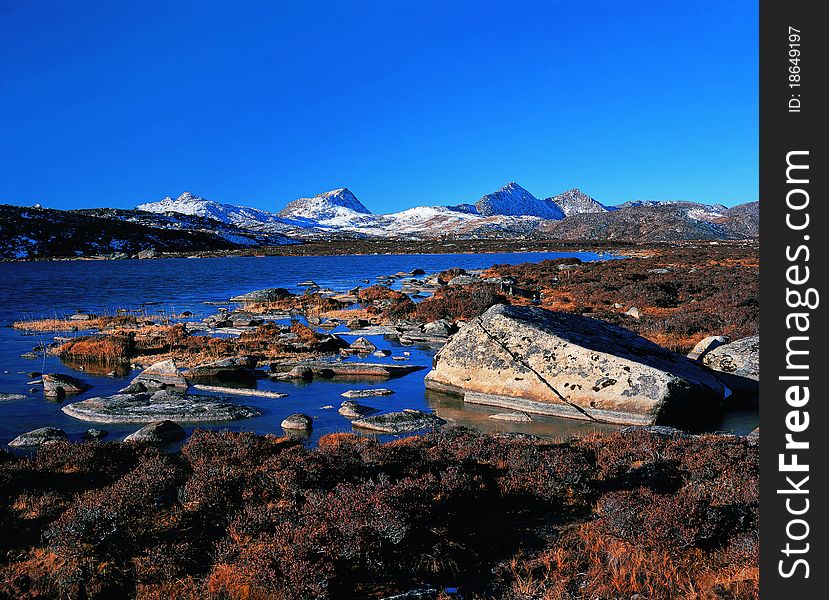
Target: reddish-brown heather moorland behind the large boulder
[[682, 294]]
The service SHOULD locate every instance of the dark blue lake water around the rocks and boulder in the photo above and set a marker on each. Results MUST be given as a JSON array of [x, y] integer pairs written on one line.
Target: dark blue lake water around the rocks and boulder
[[170, 286]]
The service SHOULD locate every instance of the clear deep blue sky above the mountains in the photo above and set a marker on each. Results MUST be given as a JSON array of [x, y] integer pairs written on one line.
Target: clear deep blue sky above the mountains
[[405, 103]]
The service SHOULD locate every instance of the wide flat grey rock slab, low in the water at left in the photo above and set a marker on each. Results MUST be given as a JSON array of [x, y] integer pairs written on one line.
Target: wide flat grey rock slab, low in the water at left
[[149, 407]]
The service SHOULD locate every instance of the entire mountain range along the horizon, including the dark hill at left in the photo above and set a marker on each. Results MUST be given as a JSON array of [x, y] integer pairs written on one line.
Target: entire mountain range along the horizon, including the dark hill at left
[[189, 222]]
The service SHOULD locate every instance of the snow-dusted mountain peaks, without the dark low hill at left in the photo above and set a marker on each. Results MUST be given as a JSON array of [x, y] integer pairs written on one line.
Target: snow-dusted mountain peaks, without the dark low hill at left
[[511, 210]]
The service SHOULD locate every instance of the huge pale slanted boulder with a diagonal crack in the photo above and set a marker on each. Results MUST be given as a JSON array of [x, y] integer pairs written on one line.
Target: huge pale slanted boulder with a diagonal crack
[[537, 361]]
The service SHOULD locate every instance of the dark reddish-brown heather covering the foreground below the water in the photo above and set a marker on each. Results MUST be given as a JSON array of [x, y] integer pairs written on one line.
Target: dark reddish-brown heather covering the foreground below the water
[[235, 515]]
